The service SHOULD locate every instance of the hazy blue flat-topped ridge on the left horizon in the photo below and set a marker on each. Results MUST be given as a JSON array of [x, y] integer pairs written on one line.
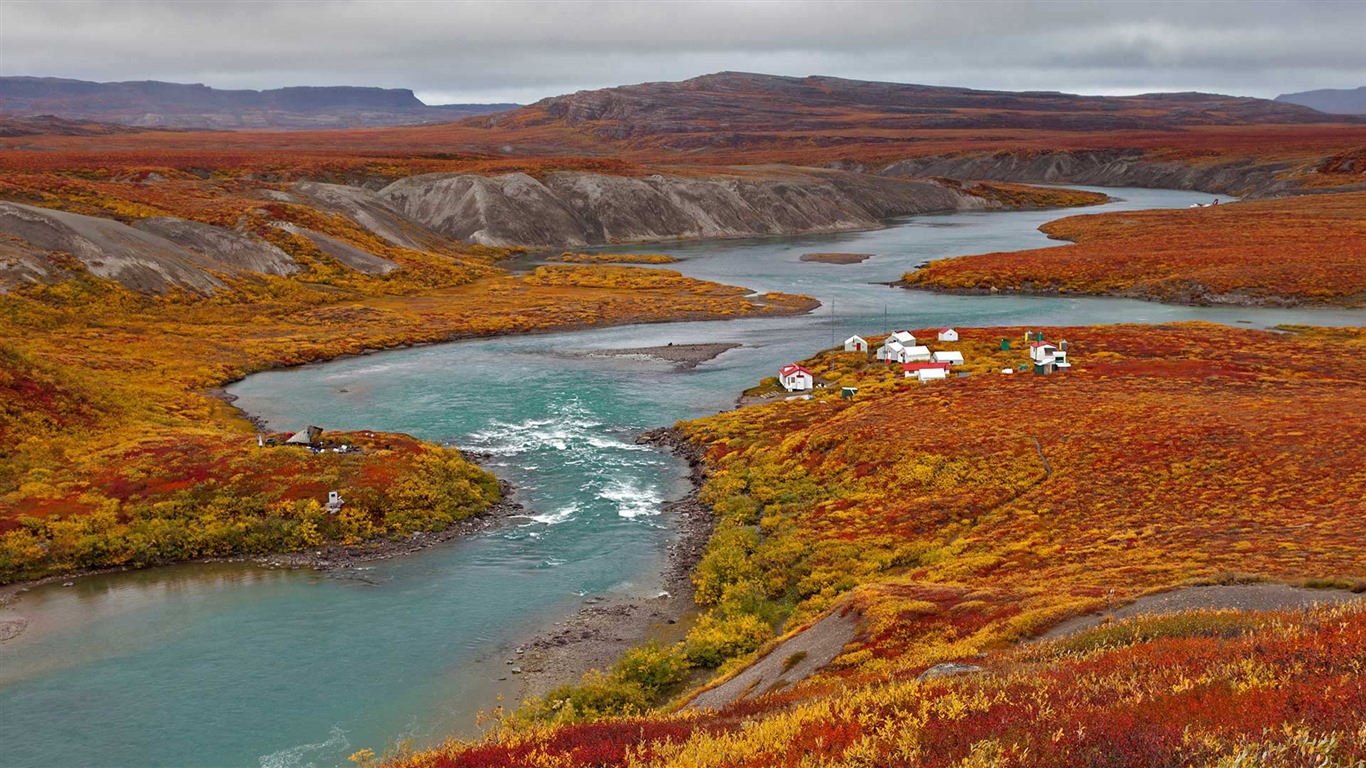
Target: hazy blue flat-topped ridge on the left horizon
[[178, 106]]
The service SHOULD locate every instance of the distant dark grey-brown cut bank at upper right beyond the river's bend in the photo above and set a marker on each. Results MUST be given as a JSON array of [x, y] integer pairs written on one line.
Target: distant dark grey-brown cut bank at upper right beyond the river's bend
[[1111, 169]]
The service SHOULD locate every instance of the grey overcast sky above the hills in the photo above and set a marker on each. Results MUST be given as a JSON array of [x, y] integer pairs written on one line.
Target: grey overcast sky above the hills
[[524, 51]]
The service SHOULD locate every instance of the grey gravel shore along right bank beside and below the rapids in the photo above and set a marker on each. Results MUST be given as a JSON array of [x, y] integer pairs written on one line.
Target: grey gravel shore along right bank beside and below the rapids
[[606, 628]]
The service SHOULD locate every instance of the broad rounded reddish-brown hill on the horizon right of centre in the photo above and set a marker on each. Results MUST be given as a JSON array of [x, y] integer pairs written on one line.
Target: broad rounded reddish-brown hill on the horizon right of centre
[[741, 107]]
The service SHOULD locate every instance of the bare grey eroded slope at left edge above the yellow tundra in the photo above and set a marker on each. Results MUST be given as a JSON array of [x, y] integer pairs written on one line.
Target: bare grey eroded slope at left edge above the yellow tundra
[[154, 256]]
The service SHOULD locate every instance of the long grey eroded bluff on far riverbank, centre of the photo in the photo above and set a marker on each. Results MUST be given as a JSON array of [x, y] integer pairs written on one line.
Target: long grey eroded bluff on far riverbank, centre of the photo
[[573, 210]]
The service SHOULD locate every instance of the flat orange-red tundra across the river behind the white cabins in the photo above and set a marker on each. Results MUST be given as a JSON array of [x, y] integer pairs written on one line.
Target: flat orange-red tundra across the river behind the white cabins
[[1304, 251]]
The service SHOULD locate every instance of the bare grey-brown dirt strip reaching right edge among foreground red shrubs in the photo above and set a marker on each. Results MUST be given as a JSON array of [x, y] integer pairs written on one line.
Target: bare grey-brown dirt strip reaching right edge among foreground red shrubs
[[1238, 598]]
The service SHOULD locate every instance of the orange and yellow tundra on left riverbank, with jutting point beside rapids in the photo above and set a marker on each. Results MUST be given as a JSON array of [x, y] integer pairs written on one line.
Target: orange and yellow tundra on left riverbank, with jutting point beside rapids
[[113, 449]]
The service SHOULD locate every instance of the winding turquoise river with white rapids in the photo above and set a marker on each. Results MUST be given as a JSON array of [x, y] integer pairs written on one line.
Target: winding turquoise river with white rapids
[[242, 666]]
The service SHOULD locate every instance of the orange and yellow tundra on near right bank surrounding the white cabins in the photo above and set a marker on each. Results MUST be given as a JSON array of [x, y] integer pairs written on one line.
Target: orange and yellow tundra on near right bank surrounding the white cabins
[[962, 519]]
